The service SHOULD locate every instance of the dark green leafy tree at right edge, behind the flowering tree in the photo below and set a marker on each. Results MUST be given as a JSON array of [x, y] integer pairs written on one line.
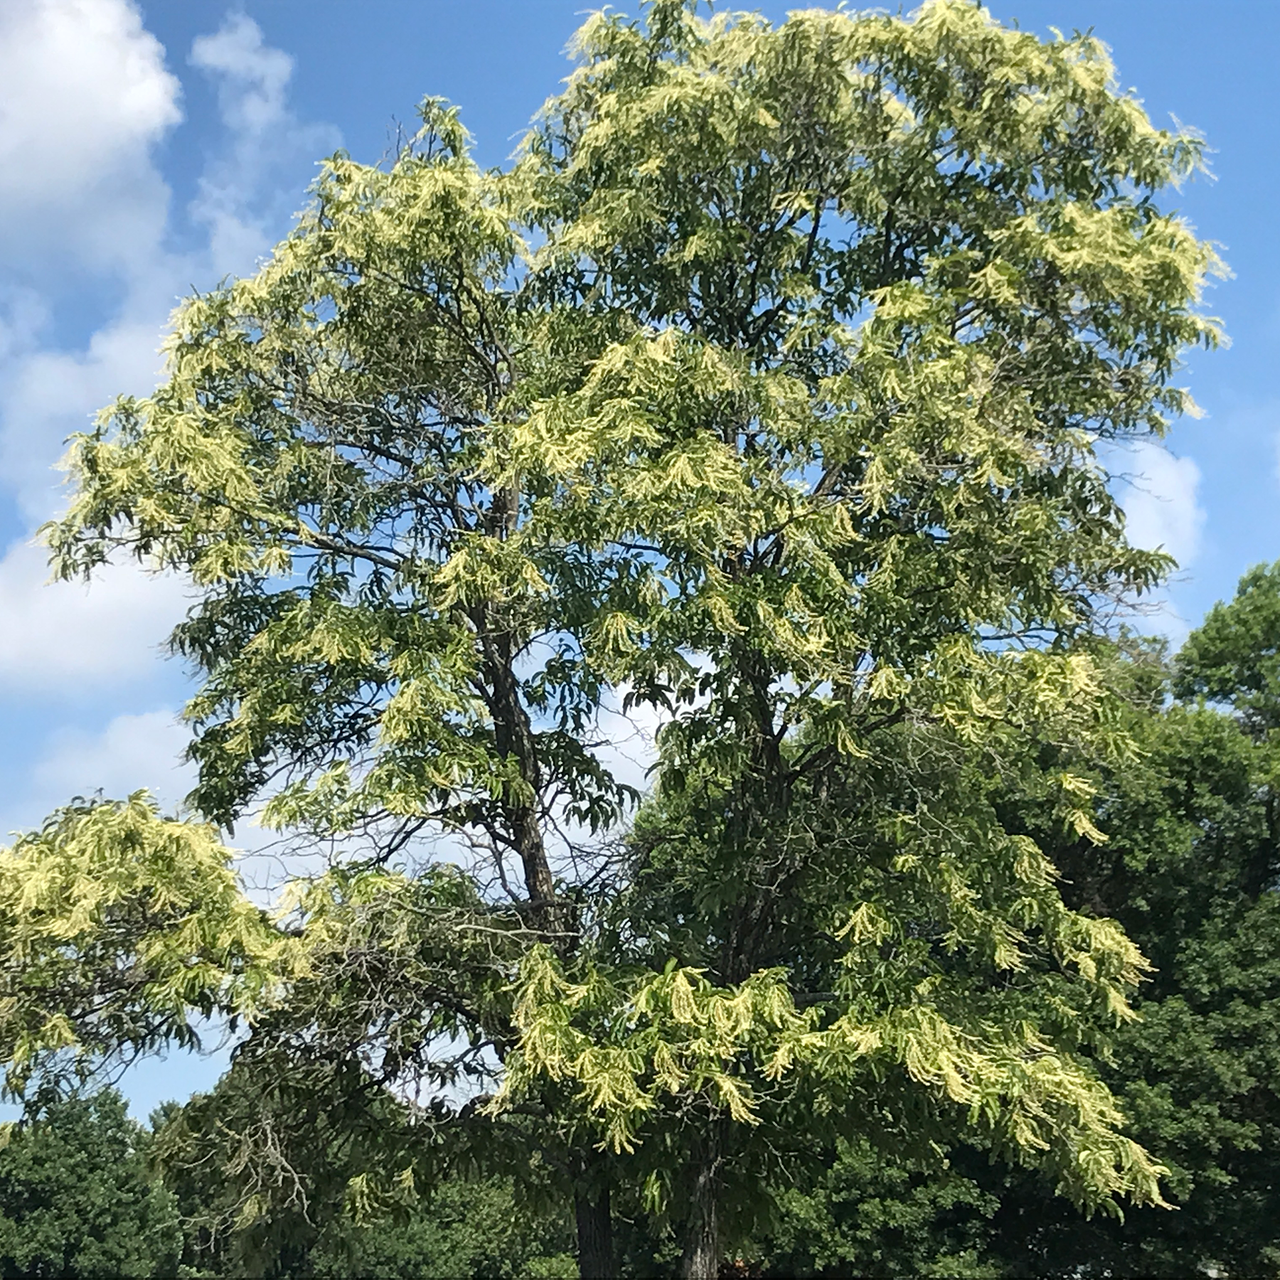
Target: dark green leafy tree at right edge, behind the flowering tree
[[1191, 874]]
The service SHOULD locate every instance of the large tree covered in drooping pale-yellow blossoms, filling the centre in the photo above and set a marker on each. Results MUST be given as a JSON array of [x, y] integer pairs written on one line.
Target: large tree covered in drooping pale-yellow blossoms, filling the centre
[[758, 395]]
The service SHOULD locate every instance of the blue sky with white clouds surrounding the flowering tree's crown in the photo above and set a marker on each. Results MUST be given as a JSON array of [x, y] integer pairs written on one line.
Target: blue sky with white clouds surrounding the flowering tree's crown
[[152, 148]]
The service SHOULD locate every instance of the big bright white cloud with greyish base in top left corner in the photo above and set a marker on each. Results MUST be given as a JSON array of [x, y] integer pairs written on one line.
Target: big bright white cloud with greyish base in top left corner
[[84, 98]]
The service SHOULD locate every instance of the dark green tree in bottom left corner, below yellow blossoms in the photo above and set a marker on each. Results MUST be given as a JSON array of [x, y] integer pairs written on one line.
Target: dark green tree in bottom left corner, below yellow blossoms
[[79, 1199]]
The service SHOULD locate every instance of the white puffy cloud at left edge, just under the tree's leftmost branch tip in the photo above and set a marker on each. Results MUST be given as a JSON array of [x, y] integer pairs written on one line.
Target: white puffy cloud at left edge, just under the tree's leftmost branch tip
[[63, 637]]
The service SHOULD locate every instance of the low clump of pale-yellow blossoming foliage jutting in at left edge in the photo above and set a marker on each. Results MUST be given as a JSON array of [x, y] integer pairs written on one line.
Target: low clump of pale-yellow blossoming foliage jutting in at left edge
[[120, 930]]
